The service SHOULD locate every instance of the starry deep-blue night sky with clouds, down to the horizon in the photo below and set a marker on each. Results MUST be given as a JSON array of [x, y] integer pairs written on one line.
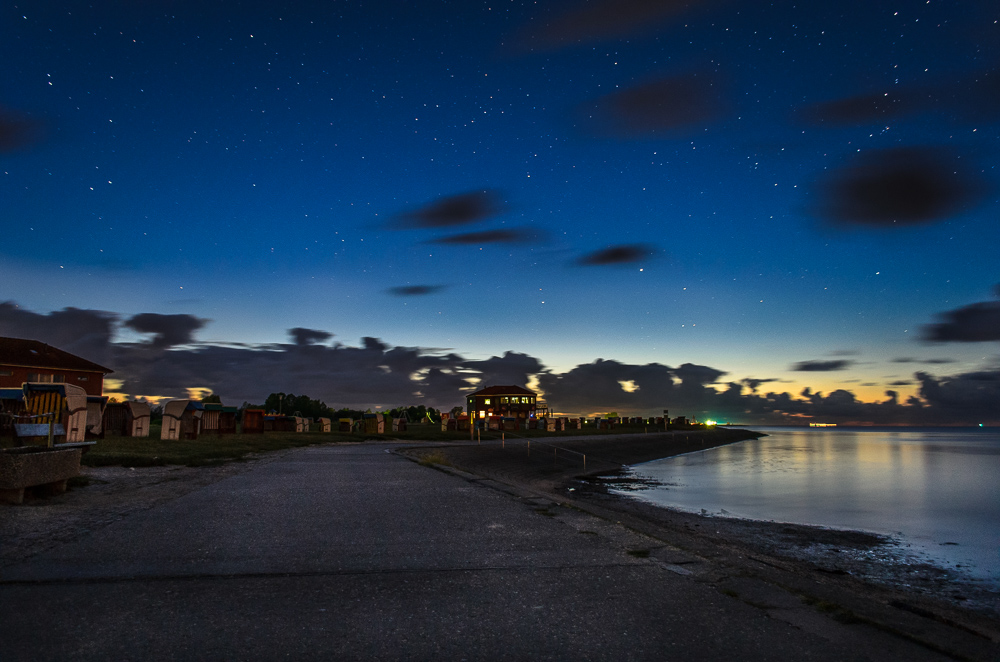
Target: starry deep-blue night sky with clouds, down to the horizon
[[759, 212]]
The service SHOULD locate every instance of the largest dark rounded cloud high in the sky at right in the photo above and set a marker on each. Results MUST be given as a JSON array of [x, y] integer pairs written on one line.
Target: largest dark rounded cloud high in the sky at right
[[898, 187]]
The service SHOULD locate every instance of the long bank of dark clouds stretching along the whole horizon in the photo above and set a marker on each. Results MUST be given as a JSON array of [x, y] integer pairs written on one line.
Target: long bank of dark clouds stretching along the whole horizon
[[378, 373]]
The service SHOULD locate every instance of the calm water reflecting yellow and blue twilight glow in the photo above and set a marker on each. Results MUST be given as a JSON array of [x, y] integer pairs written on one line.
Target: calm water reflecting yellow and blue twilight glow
[[931, 487]]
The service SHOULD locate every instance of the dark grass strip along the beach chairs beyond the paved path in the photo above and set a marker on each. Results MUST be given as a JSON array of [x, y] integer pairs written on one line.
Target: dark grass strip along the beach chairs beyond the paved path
[[211, 450]]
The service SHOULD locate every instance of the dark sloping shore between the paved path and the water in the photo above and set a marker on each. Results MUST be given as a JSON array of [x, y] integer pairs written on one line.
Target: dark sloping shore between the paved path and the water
[[868, 575]]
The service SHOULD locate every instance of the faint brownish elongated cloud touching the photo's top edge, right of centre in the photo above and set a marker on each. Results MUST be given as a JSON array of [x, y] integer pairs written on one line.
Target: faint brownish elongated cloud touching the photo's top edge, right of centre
[[598, 21]]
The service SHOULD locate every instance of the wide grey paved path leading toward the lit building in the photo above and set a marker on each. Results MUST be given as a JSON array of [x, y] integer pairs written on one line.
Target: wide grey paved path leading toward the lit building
[[353, 552]]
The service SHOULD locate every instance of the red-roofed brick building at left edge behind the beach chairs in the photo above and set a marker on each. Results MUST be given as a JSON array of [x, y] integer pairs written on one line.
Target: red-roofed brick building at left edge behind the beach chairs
[[33, 361]]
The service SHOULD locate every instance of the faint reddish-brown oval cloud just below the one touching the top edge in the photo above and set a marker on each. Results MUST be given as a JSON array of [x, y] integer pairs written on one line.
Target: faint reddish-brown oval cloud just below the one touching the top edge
[[661, 108]]
